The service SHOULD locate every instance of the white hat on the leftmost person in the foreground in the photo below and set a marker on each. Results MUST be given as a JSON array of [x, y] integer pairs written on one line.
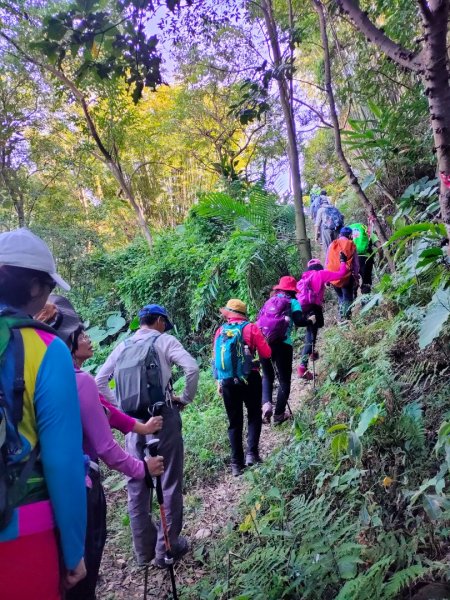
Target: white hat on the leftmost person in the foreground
[[21, 248]]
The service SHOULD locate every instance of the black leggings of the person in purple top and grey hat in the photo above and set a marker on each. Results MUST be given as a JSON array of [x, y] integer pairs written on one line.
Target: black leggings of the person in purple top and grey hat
[[95, 540]]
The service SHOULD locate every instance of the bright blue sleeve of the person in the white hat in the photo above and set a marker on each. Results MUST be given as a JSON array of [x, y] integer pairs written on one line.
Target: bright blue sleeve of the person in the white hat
[[59, 429]]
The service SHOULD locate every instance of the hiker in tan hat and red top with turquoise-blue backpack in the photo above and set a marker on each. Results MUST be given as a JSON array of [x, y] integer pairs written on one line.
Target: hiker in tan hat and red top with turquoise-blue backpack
[[234, 348]]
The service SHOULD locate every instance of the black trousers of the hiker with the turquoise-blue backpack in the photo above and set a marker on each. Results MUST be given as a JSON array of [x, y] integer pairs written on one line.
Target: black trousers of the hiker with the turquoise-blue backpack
[[235, 396]]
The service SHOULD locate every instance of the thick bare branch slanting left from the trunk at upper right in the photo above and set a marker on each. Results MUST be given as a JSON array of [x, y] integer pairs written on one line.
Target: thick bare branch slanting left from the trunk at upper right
[[403, 57]]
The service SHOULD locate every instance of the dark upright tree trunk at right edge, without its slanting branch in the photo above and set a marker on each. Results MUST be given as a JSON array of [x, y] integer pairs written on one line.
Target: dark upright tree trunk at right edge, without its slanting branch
[[435, 76]]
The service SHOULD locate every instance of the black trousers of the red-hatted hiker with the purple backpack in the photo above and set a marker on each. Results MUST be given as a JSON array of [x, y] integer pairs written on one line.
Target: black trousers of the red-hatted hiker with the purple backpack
[[281, 364]]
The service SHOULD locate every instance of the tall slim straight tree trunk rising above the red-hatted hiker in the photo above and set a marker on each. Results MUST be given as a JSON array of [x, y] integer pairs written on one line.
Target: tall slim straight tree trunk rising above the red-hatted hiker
[[293, 154]]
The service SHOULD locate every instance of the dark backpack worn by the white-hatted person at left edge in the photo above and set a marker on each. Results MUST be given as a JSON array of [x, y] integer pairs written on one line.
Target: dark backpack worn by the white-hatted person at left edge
[[14, 478]]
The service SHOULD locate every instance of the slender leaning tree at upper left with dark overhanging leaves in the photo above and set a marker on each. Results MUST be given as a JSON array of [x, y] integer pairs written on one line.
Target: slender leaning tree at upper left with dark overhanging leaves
[[85, 46]]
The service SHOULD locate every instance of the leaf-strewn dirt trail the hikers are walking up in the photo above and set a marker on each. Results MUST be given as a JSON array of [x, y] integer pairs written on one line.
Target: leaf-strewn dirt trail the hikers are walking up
[[208, 509]]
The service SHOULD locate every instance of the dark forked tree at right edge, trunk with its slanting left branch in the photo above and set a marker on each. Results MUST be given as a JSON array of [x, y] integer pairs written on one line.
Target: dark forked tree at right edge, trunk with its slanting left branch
[[432, 65]]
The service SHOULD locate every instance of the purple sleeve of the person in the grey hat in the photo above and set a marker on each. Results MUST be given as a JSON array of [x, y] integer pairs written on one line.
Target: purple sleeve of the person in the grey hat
[[98, 434]]
